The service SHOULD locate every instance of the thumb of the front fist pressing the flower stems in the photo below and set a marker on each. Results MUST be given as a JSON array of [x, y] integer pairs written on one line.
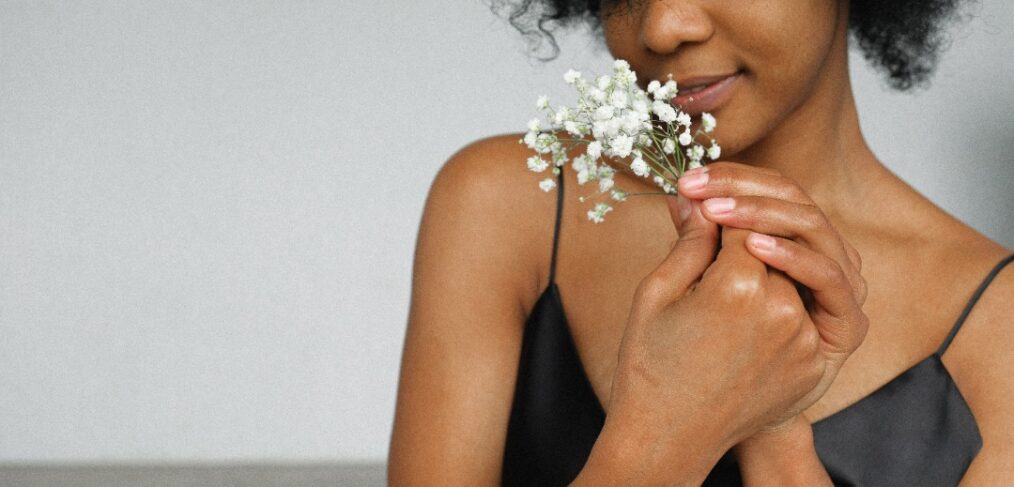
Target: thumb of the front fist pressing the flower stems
[[693, 253]]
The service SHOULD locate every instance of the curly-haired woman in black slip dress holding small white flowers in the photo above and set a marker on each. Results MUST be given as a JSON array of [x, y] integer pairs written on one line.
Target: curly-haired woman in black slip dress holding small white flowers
[[690, 353]]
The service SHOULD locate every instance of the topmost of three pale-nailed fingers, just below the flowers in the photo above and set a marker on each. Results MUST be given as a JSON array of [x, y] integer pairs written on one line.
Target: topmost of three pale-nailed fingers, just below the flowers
[[735, 179]]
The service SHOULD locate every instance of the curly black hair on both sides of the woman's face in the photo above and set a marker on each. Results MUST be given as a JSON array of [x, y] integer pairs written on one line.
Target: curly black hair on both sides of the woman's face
[[903, 39]]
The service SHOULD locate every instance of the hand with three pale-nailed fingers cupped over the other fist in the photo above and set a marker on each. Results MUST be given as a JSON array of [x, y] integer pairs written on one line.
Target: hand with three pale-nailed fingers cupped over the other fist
[[807, 247]]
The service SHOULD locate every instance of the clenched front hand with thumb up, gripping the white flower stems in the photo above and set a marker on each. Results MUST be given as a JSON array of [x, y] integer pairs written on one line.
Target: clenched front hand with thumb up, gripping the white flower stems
[[716, 346]]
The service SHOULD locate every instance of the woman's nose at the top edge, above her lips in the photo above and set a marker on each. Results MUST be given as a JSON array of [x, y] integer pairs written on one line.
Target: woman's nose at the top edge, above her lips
[[668, 24]]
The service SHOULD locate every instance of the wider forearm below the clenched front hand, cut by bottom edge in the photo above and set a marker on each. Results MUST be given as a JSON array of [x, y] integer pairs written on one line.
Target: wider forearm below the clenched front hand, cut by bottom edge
[[632, 453]]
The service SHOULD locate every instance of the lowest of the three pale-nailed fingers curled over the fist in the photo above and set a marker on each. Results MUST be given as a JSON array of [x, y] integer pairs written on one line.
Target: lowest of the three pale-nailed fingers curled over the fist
[[824, 276]]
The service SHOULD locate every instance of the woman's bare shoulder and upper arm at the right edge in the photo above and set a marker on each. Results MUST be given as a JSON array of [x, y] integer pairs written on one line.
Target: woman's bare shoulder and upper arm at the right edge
[[981, 359]]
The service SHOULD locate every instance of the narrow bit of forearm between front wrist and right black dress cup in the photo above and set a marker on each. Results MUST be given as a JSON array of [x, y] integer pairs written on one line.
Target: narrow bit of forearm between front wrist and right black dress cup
[[784, 459]]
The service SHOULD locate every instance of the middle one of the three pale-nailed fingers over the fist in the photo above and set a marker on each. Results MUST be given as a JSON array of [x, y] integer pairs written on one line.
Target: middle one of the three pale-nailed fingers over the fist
[[803, 223]]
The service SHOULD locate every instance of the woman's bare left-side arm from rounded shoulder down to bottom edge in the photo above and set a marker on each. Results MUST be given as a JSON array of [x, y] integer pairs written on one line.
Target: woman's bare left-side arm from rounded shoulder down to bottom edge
[[477, 271]]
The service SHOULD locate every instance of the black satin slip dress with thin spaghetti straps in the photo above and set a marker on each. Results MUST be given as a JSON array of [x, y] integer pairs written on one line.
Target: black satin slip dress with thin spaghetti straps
[[917, 430]]
